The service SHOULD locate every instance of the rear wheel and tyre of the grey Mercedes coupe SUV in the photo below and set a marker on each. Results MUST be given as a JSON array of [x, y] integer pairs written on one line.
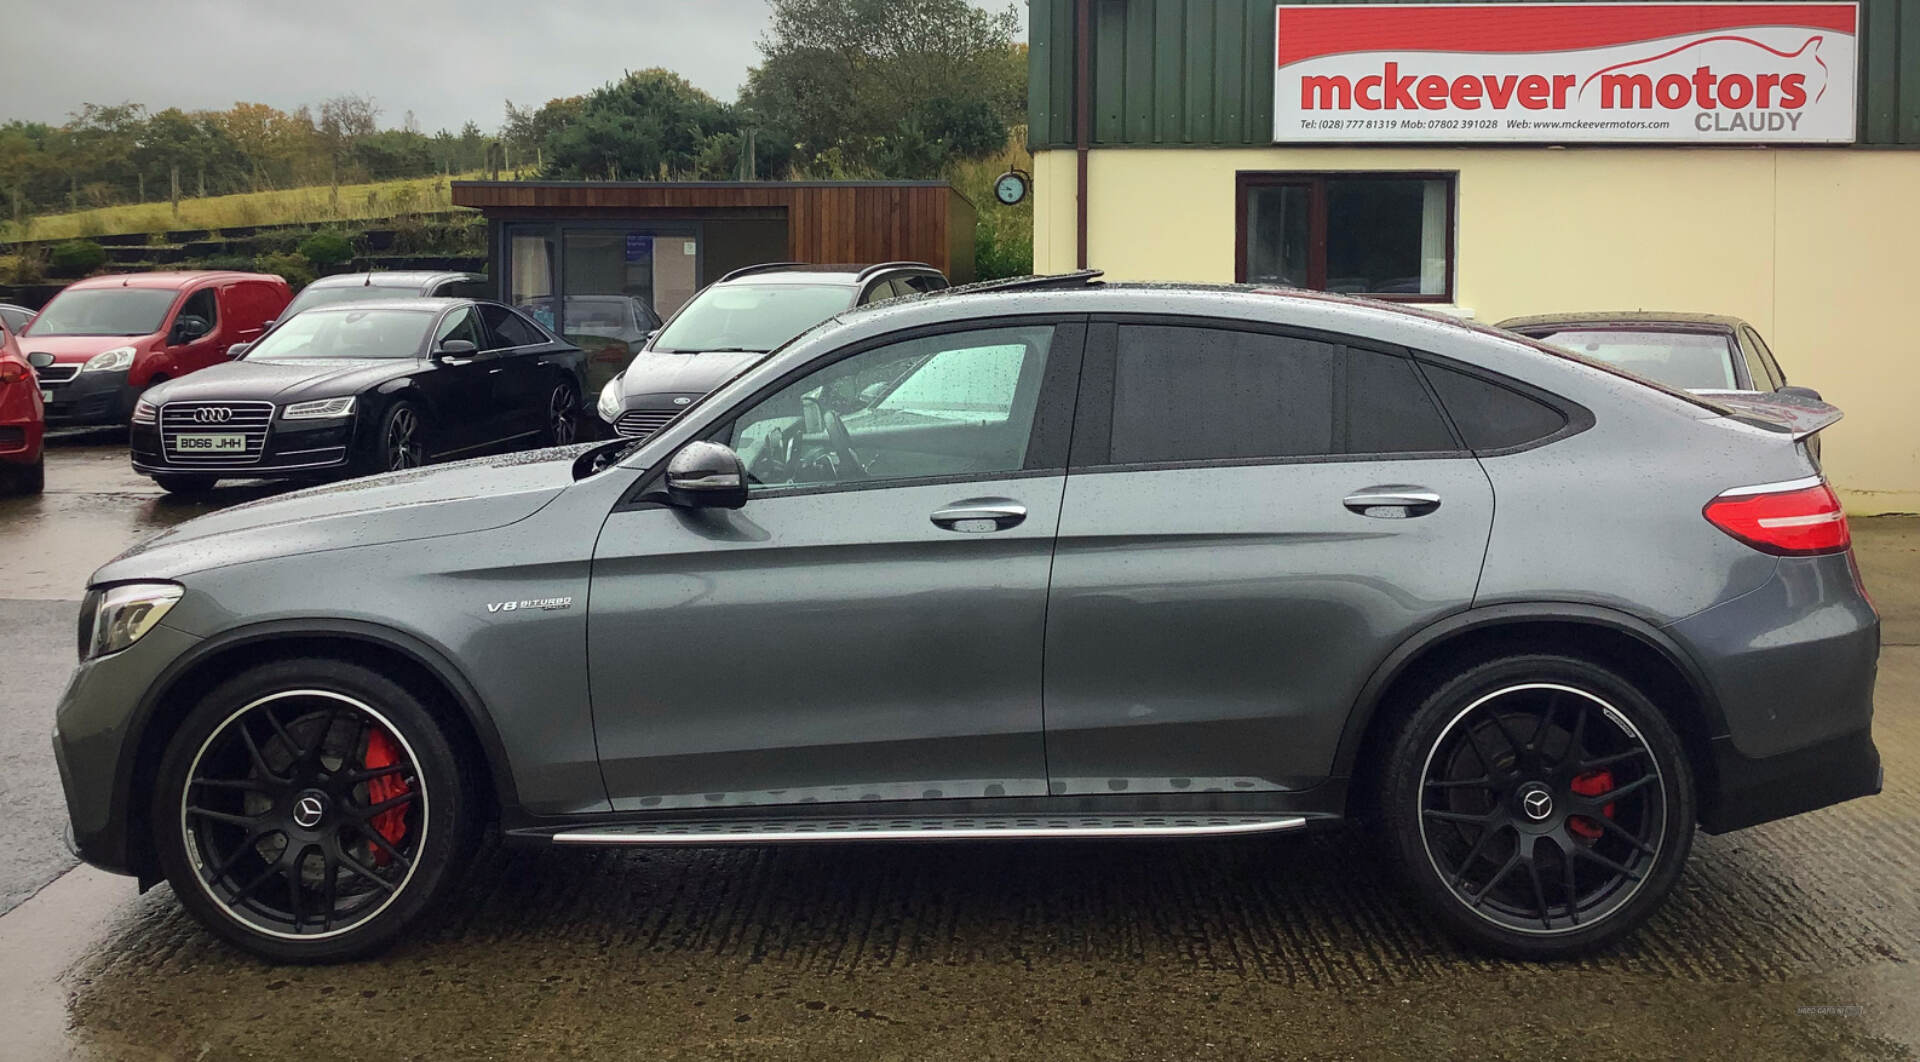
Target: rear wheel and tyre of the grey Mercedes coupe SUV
[[1525, 771]]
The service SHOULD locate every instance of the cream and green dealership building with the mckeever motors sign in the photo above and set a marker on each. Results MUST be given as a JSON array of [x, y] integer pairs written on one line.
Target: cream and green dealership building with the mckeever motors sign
[[1500, 160]]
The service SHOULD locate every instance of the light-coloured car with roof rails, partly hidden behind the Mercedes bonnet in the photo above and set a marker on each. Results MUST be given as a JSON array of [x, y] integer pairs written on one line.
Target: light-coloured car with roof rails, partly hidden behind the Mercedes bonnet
[[734, 322]]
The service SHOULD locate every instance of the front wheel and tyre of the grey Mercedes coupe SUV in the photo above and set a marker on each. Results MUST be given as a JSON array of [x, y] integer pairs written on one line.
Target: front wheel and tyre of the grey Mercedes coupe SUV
[[233, 842]]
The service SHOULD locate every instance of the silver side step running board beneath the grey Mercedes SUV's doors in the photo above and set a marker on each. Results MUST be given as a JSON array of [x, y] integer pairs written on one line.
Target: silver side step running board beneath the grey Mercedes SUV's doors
[[959, 829]]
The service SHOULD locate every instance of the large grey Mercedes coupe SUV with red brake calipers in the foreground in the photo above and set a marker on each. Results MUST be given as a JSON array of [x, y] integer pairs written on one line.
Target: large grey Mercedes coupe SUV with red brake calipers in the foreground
[[1044, 560]]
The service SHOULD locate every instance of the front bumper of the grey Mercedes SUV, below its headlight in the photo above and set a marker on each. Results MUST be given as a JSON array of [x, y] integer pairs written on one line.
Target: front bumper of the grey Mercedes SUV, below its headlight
[[97, 736]]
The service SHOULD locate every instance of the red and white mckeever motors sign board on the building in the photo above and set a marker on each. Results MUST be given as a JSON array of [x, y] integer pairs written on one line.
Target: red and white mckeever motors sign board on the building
[[1698, 74]]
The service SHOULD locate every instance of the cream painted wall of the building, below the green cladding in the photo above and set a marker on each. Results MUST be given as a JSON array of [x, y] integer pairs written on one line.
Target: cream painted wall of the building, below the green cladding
[[1817, 249]]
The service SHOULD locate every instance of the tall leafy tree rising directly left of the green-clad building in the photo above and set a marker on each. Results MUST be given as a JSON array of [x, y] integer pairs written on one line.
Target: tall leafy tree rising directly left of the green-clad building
[[888, 87]]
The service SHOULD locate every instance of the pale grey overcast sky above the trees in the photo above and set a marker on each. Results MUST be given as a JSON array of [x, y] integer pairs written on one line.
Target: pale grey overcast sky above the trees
[[444, 60]]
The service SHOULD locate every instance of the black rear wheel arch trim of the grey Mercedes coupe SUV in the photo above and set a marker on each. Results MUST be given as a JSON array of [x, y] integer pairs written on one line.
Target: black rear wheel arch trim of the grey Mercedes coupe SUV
[[1600, 635]]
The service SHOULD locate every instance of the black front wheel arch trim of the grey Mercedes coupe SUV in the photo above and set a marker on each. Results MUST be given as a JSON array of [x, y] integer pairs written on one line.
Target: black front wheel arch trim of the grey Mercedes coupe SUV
[[402, 658]]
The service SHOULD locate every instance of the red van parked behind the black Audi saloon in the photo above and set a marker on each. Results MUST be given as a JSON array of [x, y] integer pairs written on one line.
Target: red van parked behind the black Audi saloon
[[108, 339]]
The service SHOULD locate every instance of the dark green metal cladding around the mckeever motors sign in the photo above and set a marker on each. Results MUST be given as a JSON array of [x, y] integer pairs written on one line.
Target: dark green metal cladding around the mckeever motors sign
[[1201, 72]]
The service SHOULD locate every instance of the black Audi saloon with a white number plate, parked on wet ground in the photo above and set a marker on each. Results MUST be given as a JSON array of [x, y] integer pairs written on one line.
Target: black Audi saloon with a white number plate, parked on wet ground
[[360, 389]]
